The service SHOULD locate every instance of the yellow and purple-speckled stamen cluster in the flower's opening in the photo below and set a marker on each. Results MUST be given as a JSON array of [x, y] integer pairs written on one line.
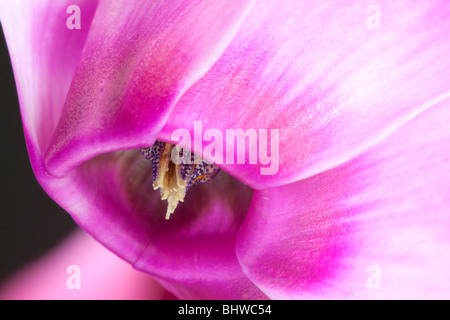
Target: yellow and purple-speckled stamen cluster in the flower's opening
[[175, 169]]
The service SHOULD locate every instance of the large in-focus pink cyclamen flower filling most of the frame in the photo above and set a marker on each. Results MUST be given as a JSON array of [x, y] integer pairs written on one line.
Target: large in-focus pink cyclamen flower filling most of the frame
[[359, 93]]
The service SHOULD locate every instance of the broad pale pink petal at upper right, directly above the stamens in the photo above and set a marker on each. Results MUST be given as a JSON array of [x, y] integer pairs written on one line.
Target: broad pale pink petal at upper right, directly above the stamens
[[315, 71]]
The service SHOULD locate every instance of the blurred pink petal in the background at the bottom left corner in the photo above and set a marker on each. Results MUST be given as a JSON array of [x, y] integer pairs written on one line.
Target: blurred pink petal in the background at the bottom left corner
[[102, 275]]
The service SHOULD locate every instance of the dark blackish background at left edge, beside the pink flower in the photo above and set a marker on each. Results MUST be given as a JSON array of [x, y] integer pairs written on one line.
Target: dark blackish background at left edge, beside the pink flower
[[30, 222]]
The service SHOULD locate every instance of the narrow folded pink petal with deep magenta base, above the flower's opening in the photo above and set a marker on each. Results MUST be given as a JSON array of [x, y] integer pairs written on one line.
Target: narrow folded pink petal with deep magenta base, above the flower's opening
[[139, 59]]
